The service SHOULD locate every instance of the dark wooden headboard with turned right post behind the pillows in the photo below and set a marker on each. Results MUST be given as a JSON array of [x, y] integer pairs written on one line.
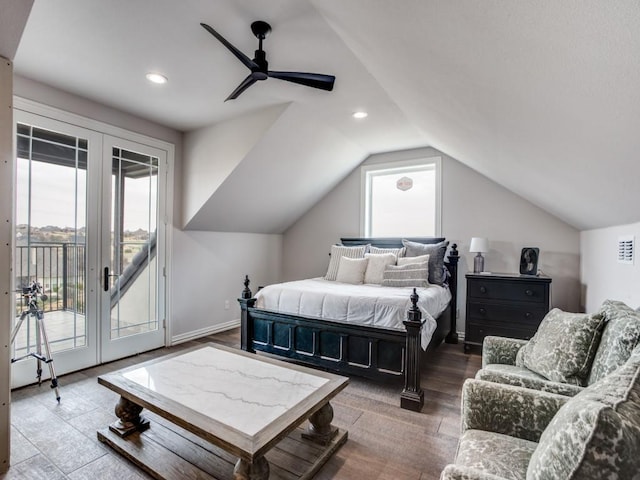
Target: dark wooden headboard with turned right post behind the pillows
[[451, 262]]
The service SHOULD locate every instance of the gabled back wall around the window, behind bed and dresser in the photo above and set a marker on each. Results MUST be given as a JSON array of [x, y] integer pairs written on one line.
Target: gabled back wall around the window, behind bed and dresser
[[472, 205]]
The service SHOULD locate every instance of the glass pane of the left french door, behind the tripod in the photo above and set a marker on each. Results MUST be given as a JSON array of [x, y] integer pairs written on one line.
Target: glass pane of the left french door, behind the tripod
[[51, 199]]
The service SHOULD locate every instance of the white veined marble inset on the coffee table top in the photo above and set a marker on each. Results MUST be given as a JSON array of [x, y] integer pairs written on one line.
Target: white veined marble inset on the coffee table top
[[245, 393]]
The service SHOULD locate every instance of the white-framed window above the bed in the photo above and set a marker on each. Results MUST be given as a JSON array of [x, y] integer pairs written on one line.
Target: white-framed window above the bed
[[401, 198]]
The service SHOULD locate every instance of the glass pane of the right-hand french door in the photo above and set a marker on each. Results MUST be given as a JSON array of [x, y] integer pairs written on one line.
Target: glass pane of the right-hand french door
[[134, 193]]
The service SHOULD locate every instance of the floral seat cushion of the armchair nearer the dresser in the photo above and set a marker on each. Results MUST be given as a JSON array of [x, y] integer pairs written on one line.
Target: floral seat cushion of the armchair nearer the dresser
[[523, 377]]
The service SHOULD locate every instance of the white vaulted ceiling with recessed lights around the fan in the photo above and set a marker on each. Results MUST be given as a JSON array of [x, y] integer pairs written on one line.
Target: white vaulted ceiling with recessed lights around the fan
[[541, 96]]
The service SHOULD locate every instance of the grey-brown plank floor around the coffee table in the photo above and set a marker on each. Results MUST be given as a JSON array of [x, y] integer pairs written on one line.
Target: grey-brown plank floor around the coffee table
[[51, 441]]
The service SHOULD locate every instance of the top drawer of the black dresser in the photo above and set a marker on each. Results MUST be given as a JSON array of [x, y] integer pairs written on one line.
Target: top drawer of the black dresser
[[521, 291]]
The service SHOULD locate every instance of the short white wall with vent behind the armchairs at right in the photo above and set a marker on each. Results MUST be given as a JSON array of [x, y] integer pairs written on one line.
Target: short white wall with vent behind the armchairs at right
[[602, 276]]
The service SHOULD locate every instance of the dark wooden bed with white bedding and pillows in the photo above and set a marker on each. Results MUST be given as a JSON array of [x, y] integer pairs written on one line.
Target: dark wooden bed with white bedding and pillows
[[359, 346]]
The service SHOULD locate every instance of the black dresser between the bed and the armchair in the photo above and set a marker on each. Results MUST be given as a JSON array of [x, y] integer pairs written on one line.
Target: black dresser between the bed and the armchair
[[503, 304]]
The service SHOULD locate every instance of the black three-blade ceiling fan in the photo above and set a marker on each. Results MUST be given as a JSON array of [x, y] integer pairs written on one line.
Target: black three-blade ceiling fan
[[260, 67]]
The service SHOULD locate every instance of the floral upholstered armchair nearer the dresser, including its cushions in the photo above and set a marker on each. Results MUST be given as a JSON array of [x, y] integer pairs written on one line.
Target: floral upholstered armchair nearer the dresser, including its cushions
[[568, 352]]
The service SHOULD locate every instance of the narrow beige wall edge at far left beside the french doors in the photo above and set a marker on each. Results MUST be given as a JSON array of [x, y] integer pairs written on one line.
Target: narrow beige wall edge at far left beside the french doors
[[6, 253]]
